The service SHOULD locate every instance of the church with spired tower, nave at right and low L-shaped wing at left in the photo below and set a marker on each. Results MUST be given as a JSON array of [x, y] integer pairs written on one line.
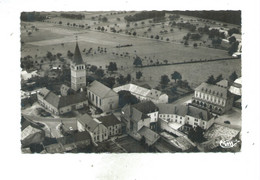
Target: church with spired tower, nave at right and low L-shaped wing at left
[[97, 94]]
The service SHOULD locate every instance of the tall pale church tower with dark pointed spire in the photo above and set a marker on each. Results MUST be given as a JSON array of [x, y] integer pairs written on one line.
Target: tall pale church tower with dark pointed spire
[[78, 70]]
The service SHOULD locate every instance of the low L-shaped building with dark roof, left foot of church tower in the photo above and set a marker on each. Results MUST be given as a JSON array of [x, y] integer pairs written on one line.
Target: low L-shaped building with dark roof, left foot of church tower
[[61, 104]]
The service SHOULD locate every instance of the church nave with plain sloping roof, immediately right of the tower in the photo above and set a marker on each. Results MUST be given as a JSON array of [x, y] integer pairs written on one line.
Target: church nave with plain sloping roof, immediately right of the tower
[[102, 96]]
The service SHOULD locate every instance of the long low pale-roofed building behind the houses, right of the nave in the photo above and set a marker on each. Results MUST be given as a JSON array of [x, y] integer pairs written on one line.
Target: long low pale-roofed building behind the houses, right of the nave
[[144, 94]]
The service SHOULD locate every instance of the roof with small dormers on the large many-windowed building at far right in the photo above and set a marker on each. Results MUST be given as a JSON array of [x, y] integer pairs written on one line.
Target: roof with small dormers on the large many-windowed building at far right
[[212, 89]]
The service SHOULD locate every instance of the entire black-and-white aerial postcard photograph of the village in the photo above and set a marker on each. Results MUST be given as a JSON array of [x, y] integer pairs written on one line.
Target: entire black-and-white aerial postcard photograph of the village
[[130, 81]]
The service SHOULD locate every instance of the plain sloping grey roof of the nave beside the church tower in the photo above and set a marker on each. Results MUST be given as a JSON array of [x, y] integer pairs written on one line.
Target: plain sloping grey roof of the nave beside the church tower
[[101, 90]]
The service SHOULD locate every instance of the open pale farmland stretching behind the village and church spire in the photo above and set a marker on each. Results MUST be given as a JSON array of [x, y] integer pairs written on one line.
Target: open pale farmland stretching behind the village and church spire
[[56, 38]]
